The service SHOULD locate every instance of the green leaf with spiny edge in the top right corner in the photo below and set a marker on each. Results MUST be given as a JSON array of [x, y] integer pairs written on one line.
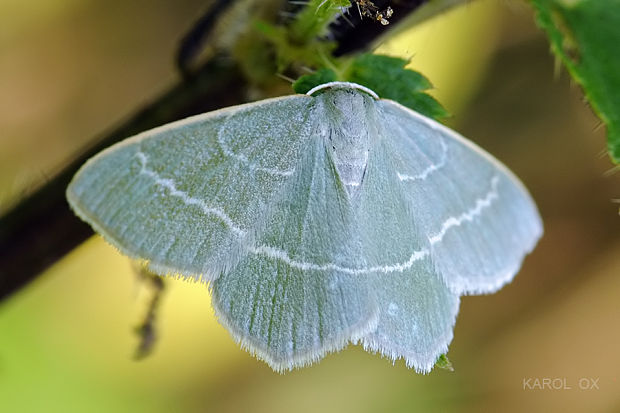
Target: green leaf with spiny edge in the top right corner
[[585, 34]]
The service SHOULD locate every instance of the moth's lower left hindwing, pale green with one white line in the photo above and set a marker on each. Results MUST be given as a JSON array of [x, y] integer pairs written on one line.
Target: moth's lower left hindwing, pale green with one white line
[[297, 295]]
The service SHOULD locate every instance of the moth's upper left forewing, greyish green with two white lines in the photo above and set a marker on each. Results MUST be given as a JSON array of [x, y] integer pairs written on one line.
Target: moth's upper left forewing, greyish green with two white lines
[[184, 196]]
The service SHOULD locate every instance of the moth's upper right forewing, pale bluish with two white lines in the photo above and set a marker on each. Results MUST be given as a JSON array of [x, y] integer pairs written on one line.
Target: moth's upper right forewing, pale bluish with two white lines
[[476, 216]]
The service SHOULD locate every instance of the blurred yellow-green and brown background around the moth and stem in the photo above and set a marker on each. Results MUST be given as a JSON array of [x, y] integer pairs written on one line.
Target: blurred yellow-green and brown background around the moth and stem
[[72, 69]]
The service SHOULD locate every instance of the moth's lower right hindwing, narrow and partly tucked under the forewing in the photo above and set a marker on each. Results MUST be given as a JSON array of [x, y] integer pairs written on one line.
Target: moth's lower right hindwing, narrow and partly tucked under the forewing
[[417, 310]]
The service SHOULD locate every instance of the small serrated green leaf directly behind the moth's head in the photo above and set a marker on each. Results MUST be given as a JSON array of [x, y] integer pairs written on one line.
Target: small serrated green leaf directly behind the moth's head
[[388, 77]]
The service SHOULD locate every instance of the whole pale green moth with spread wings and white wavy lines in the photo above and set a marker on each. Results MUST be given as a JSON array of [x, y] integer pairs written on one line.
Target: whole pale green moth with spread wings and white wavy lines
[[317, 220]]
